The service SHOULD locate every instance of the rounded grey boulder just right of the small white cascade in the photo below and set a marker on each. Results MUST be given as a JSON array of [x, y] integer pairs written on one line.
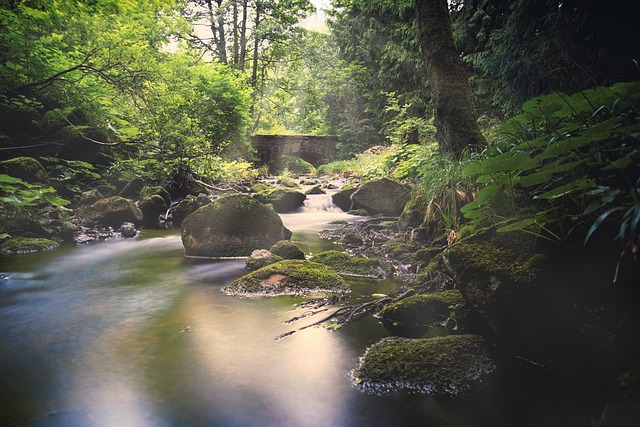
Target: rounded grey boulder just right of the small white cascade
[[381, 196]]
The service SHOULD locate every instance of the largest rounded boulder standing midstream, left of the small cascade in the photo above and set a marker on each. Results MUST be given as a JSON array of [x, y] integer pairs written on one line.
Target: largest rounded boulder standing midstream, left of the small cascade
[[231, 226]]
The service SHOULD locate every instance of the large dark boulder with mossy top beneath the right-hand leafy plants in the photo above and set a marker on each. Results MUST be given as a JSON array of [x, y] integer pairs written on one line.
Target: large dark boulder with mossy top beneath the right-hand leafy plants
[[552, 304]]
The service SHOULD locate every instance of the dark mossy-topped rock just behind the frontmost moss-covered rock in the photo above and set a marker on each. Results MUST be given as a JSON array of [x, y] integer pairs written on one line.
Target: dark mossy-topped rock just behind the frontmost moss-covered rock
[[423, 309]]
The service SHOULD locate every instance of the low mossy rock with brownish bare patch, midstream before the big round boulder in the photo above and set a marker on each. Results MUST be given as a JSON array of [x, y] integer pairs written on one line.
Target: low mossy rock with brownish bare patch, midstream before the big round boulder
[[288, 277]]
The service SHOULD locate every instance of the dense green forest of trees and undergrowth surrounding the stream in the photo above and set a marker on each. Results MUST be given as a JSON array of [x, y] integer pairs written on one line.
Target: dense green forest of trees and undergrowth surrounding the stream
[[507, 121]]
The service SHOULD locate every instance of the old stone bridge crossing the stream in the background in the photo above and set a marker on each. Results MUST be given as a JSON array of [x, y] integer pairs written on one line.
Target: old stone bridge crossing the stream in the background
[[313, 149]]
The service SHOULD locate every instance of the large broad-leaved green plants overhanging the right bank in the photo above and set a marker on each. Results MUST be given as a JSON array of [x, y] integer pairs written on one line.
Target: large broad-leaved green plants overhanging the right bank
[[564, 160]]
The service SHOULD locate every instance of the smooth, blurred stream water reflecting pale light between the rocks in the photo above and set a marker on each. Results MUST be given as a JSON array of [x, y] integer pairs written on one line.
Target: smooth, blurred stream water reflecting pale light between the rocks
[[131, 333]]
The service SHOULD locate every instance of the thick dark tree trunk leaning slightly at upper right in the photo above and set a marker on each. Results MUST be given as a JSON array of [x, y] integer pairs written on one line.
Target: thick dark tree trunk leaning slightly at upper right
[[455, 117]]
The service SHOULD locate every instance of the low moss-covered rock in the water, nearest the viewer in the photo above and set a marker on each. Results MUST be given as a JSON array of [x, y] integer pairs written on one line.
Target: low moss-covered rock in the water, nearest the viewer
[[439, 366]]
